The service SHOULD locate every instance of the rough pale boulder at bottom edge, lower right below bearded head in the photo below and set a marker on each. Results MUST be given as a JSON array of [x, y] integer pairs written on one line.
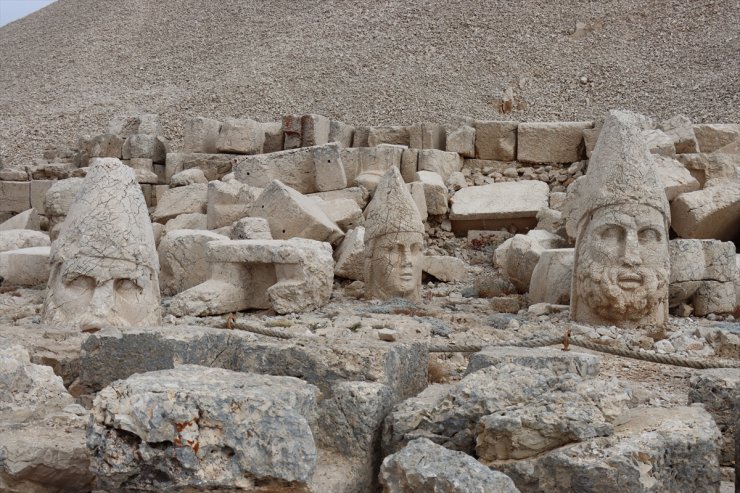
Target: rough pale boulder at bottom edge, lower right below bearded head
[[652, 449]]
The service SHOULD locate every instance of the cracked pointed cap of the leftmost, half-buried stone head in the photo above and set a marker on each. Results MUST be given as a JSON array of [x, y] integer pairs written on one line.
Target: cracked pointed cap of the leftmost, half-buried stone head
[[108, 220]]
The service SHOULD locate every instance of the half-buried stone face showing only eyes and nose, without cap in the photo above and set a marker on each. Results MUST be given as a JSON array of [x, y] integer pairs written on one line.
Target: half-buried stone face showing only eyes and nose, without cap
[[92, 293]]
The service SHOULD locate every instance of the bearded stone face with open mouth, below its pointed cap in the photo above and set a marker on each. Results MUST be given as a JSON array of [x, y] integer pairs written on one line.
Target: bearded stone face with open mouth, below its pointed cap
[[622, 270]]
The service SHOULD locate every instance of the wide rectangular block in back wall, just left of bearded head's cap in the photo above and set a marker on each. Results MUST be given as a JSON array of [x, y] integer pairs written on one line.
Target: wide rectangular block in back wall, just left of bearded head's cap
[[551, 142]]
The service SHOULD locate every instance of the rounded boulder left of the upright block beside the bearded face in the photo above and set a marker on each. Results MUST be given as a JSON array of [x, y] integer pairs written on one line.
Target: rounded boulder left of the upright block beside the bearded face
[[518, 256]]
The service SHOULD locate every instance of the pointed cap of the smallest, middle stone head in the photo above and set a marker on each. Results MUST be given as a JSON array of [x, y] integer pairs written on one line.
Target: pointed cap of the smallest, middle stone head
[[392, 209]]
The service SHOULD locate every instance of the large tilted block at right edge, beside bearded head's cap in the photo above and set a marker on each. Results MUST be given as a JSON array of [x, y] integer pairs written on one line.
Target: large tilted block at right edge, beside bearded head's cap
[[713, 212]]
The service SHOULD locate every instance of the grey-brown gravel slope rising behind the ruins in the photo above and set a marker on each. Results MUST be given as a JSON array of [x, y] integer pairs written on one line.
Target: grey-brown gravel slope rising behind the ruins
[[68, 68]]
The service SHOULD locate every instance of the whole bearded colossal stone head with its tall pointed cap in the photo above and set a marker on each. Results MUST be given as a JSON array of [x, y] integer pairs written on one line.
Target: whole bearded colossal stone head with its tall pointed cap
[[619, 216]]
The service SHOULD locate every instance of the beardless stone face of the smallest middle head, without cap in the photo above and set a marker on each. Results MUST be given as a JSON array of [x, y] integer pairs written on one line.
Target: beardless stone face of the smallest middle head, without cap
[[393, 268]]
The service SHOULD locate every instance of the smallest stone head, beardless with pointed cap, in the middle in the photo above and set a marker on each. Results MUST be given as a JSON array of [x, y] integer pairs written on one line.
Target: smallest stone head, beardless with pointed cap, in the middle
[[394, 241]]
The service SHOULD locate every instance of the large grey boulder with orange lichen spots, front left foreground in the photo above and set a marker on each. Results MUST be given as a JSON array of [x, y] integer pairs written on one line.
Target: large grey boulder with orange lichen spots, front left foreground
[[204, 428]]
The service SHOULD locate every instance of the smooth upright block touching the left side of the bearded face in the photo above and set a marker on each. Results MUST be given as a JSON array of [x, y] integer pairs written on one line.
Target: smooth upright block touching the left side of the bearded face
[[551, 277]]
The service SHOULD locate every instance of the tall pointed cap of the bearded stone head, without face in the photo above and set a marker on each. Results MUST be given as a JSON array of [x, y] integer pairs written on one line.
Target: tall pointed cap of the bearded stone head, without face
[[621, 171]]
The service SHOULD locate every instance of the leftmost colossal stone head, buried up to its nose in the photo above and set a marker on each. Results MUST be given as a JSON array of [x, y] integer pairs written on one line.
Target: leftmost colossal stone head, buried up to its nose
[[104, 265]]
